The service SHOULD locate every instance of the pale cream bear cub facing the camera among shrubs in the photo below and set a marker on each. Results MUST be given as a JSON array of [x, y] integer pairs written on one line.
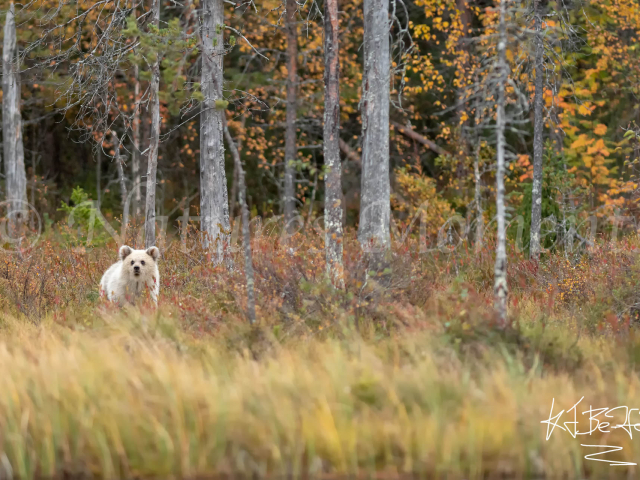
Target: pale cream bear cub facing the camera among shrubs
[[135, 273]]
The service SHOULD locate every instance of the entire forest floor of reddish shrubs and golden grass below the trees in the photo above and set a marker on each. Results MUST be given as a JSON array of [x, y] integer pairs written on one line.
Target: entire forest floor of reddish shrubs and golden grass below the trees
[[411, 378]]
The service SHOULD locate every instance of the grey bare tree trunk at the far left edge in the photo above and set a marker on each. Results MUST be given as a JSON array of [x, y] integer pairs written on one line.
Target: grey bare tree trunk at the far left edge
[[15, 174]]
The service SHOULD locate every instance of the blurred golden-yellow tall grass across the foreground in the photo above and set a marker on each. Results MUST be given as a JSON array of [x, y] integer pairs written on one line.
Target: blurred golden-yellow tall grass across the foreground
[[137, 397]]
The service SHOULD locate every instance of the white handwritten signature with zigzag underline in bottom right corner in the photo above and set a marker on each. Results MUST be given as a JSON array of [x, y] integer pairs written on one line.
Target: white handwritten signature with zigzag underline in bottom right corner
[[596, 424]]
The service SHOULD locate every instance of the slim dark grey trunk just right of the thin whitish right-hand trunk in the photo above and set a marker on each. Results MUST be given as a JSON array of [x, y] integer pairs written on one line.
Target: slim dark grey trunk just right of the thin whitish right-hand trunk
[[536, 191]]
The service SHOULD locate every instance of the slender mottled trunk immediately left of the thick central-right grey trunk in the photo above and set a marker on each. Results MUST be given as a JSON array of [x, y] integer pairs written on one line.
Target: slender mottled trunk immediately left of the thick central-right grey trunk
[[333, 200]]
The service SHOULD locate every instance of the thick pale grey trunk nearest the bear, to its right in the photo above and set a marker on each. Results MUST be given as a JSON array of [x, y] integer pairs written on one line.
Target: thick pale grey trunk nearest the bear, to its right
[[214, 203]]
